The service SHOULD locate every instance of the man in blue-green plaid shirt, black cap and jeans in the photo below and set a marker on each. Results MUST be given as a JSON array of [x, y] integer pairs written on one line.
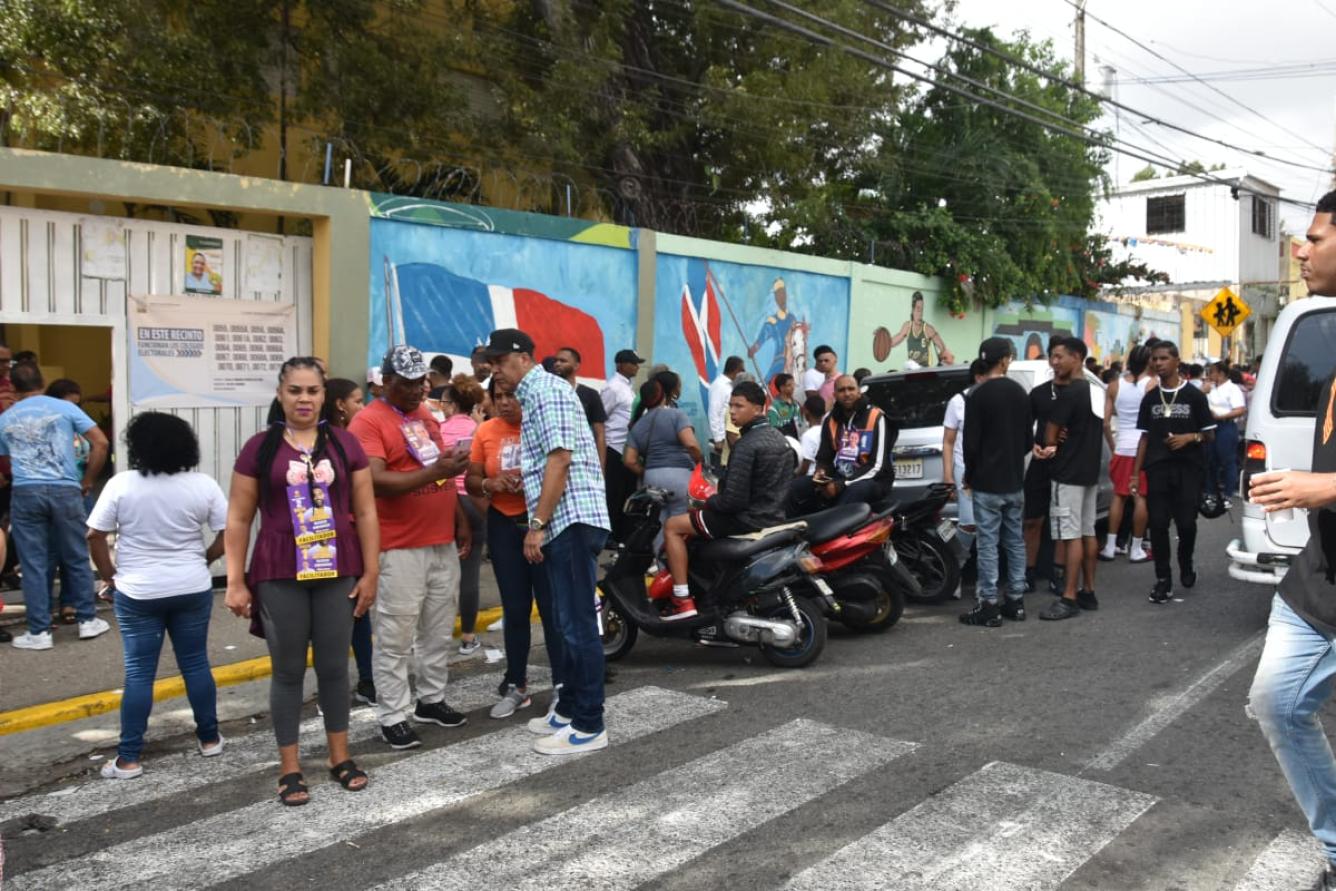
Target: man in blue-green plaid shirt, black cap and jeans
[[568, 526]]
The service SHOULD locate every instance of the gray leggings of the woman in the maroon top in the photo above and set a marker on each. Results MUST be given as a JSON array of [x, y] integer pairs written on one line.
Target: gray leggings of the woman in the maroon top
[[296, 614]]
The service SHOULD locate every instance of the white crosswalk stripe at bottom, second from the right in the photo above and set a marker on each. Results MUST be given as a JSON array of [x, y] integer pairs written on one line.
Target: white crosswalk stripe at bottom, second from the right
[[1003, 828]]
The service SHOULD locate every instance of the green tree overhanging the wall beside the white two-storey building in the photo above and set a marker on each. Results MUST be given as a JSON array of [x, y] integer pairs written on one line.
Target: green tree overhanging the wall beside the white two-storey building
[[1000, 206]]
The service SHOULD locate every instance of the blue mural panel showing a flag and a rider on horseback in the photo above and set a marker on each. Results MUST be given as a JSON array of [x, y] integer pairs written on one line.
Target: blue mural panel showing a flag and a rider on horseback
[[707, 311]]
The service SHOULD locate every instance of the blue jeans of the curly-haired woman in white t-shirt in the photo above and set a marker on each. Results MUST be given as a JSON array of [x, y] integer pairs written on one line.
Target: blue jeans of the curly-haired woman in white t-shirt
[[142, 626]]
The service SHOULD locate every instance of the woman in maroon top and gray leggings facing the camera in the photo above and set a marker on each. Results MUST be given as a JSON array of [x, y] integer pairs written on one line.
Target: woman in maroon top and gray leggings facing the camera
[[312, 486]]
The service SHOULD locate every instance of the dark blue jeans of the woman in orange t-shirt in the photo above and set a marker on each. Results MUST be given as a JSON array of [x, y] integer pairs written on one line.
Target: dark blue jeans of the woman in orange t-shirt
[[522, 583]]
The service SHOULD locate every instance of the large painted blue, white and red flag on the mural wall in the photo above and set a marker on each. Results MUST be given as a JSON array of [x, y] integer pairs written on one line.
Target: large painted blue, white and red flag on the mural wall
[[439, 312]]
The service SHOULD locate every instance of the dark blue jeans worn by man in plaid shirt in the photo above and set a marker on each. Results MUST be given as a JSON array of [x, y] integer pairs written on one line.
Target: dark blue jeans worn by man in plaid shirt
[[571, 560]]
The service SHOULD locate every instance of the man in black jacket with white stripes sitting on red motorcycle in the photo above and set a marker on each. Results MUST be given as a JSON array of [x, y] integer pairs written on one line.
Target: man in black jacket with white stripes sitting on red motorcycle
[[854, 460]]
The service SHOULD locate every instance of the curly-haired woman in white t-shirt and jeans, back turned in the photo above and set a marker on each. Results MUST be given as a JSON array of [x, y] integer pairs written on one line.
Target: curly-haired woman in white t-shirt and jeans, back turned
[[160, 510]]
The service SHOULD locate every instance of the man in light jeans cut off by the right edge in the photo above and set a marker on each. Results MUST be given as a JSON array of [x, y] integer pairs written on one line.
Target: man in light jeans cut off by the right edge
[[1298, 663]]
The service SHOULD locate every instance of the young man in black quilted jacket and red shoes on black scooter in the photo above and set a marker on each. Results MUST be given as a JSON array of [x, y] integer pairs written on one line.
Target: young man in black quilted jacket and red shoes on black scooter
[[750, 498]]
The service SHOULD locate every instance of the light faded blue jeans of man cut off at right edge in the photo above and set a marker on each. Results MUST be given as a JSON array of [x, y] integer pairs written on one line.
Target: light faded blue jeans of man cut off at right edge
[[1294, 682]]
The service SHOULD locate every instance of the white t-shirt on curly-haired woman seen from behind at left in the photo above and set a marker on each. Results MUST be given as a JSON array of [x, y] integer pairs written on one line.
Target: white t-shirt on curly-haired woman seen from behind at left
[[158, 522]]
